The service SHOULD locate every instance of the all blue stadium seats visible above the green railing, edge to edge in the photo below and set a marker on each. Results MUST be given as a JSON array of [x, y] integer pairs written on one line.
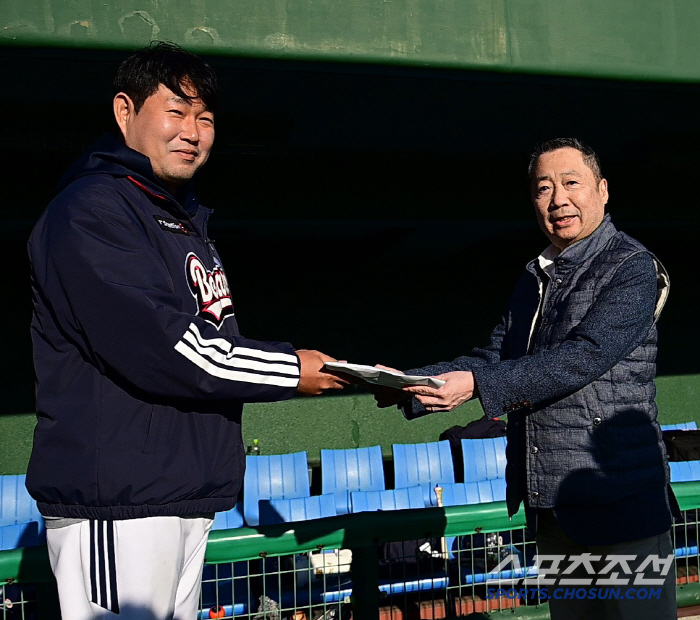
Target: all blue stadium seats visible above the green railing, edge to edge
[[352, 481]]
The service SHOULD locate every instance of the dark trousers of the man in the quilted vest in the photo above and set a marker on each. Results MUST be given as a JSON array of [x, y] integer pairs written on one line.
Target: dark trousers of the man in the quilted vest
[[594, 599]]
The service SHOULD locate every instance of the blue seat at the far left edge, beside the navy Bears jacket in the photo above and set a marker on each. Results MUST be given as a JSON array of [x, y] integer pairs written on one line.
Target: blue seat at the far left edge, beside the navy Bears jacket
[[21, 524]]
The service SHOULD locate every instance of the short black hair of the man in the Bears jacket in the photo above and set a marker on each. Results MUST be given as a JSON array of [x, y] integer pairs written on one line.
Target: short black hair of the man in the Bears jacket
[[168, 64]]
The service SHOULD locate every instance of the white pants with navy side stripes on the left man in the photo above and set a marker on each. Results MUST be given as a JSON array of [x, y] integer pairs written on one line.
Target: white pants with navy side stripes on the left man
[[140, 569]]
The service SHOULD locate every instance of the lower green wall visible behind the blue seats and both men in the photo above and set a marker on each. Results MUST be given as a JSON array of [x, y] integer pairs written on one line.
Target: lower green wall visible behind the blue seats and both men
[[347, 421]]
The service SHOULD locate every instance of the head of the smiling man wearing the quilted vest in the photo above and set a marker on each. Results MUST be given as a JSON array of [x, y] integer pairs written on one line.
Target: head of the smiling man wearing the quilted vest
[[569, 200]]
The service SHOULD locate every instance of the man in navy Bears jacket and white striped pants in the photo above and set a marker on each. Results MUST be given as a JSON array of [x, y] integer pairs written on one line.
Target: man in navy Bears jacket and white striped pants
[[141, 370]]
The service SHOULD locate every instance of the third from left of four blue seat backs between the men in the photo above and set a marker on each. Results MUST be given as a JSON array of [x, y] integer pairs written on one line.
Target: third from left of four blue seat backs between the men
[[424, 464]]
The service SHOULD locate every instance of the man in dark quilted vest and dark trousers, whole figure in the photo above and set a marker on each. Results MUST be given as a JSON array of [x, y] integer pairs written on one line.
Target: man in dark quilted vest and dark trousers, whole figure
[[572, 364]]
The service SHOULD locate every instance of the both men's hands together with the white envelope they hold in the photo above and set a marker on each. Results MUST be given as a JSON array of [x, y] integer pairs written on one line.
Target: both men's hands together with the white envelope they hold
[[441, 393]]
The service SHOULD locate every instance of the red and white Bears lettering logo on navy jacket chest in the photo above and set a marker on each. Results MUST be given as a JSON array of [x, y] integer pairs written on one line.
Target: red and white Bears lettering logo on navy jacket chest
[[210, 289]]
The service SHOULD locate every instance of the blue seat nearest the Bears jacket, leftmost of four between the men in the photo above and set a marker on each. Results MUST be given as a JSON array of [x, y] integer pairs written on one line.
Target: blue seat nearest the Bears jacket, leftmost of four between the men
[[276, 476]]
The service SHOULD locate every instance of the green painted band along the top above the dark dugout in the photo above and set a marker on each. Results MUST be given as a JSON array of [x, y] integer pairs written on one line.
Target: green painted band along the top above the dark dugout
[[635, 39]]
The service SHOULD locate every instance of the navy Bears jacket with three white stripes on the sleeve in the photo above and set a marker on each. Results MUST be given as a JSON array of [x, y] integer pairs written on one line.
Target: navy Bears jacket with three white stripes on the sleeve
[[141, 370]]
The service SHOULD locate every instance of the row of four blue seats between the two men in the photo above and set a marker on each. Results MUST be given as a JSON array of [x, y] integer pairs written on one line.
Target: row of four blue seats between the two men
[[277, 487]]
